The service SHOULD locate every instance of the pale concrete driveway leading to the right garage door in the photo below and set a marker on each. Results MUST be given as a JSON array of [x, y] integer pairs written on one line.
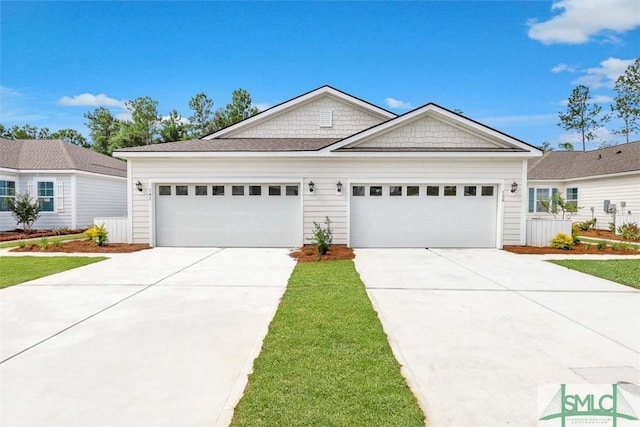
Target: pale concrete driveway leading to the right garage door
[[478, 330]]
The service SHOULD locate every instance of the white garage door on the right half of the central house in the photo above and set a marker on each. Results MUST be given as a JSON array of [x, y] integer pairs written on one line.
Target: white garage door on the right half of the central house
[[423, 216]]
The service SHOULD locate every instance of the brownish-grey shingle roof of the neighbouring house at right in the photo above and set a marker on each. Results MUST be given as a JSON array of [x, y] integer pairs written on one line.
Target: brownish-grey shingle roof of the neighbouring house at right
[[580, 164]]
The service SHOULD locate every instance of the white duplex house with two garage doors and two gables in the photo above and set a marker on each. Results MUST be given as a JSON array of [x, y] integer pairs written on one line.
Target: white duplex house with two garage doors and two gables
[[427, 178]]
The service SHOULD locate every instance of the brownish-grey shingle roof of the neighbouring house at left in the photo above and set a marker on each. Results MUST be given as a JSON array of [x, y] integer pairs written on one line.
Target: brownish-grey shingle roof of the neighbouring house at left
[[55, 154]]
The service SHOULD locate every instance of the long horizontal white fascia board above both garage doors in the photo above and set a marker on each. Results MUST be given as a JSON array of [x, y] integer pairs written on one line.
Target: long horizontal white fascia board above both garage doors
[[322, 154]]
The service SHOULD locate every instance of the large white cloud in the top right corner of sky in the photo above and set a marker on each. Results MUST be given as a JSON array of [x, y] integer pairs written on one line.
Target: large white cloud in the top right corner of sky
[[579, 20]]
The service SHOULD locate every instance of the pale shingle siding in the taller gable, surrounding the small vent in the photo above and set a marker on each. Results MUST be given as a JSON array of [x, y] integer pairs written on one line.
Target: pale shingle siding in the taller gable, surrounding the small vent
[[304, 122]]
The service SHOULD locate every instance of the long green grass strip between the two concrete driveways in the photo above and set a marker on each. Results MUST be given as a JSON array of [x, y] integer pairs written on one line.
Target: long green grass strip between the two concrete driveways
[[326, 360]]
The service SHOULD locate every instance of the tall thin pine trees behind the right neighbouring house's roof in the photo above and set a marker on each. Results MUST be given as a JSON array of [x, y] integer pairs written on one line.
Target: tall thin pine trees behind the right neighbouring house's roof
[[584, 116]]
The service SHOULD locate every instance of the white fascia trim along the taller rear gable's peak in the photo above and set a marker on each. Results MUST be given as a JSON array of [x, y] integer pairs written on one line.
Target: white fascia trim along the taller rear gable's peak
[[273, 111]]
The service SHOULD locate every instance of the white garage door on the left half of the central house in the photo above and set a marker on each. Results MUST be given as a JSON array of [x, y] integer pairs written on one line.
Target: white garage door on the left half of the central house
[[228, 215]]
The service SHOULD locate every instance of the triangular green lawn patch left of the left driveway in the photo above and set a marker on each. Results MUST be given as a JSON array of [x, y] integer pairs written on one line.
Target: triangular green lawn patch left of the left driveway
[[18, 269]]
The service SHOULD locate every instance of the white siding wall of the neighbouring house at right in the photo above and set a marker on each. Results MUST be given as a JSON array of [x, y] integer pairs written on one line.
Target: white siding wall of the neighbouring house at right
[[593, 192]]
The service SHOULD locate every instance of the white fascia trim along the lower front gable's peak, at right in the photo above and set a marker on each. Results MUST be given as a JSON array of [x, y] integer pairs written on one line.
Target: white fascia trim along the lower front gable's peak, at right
[[462, 123]]
